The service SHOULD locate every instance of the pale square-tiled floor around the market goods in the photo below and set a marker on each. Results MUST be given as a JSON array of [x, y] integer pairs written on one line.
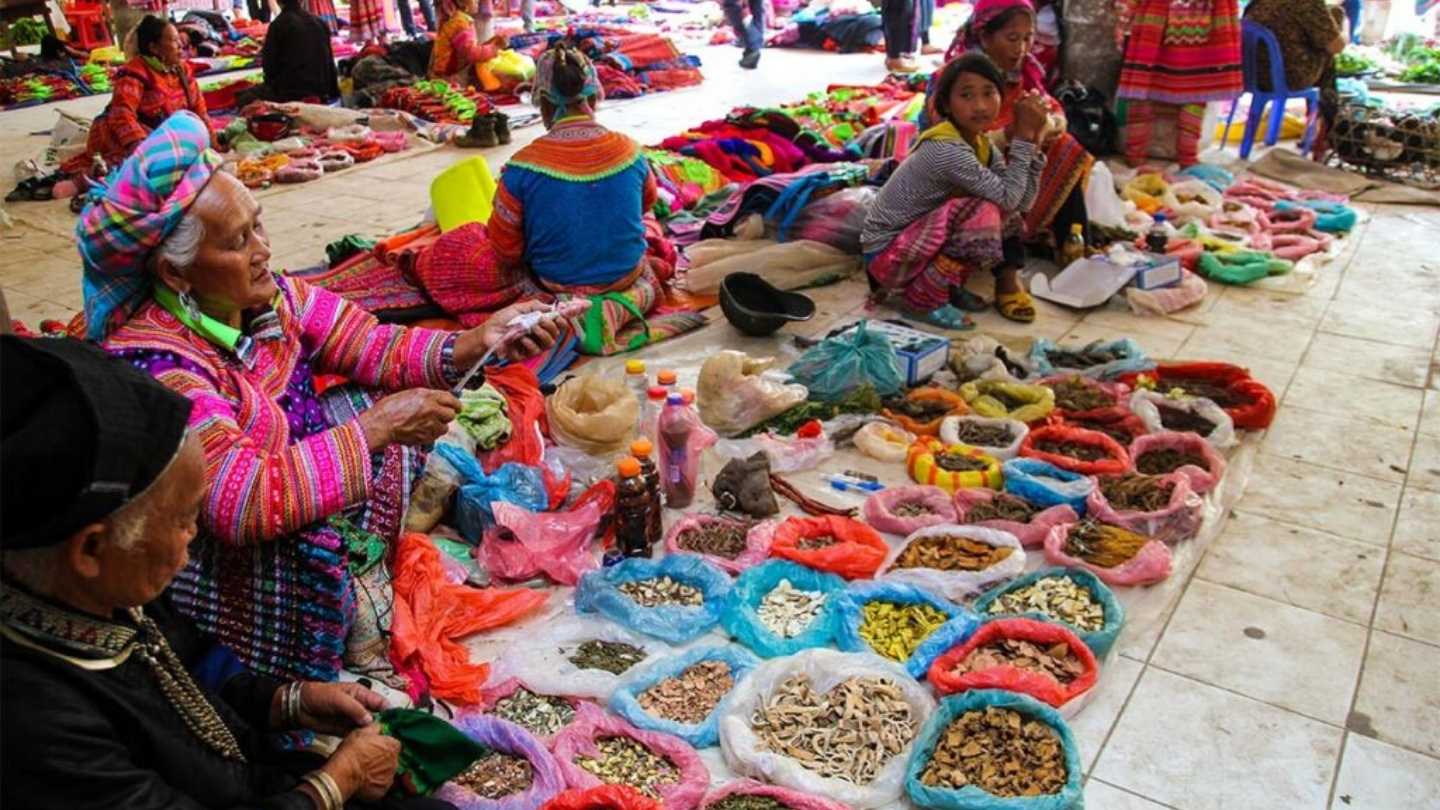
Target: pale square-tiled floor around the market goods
[[1300, 667]]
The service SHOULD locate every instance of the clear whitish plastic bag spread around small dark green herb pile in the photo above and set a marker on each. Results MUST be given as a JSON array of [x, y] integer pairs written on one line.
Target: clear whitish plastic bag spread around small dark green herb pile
[[542, 657]]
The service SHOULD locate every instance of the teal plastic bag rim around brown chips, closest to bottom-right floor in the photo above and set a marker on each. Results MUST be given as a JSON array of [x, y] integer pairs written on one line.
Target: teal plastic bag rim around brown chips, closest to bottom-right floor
[[971, 798]]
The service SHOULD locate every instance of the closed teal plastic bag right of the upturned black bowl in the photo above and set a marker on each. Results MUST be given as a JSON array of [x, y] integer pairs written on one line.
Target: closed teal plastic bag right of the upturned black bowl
[[845, 364]]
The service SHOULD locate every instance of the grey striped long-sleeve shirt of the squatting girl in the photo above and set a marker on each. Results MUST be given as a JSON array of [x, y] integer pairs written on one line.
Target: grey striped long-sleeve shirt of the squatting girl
[[938, 171]]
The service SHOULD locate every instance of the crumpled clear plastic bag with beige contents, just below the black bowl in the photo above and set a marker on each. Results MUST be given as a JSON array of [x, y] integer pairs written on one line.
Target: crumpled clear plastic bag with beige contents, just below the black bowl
[[734, 397]]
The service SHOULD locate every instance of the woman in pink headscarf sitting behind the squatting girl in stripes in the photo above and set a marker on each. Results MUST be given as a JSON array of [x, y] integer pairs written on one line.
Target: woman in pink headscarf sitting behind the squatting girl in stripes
[[1006, 32]]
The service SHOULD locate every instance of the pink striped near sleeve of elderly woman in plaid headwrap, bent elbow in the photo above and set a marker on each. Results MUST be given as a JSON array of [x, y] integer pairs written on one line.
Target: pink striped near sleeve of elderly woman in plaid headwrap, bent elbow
[[258, 495]]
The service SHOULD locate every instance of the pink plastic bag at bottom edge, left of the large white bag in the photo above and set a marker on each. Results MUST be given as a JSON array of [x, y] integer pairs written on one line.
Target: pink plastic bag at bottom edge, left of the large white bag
[[591, 724]]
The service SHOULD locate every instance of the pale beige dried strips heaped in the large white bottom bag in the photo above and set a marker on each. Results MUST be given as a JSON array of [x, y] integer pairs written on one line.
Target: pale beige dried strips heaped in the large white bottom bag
[[849, 733]]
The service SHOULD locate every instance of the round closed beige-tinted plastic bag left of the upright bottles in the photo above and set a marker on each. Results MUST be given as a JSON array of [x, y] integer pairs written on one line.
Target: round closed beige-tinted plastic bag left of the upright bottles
[[594, 414]]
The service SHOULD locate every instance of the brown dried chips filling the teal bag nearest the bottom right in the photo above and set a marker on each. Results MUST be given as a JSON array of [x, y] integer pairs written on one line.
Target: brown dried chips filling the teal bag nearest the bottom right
[[999, 752]]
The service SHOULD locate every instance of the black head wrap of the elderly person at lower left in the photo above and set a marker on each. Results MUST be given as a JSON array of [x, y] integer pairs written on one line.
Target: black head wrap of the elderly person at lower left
[[81, 435]]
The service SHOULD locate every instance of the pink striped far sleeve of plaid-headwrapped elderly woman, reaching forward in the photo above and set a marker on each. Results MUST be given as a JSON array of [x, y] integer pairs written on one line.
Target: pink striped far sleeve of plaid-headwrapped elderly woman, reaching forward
[[345, 339]]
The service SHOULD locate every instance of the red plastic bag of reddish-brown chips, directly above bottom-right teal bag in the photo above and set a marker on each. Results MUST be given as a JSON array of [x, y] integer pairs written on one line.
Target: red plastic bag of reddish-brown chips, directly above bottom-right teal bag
[[1040, 687]]
